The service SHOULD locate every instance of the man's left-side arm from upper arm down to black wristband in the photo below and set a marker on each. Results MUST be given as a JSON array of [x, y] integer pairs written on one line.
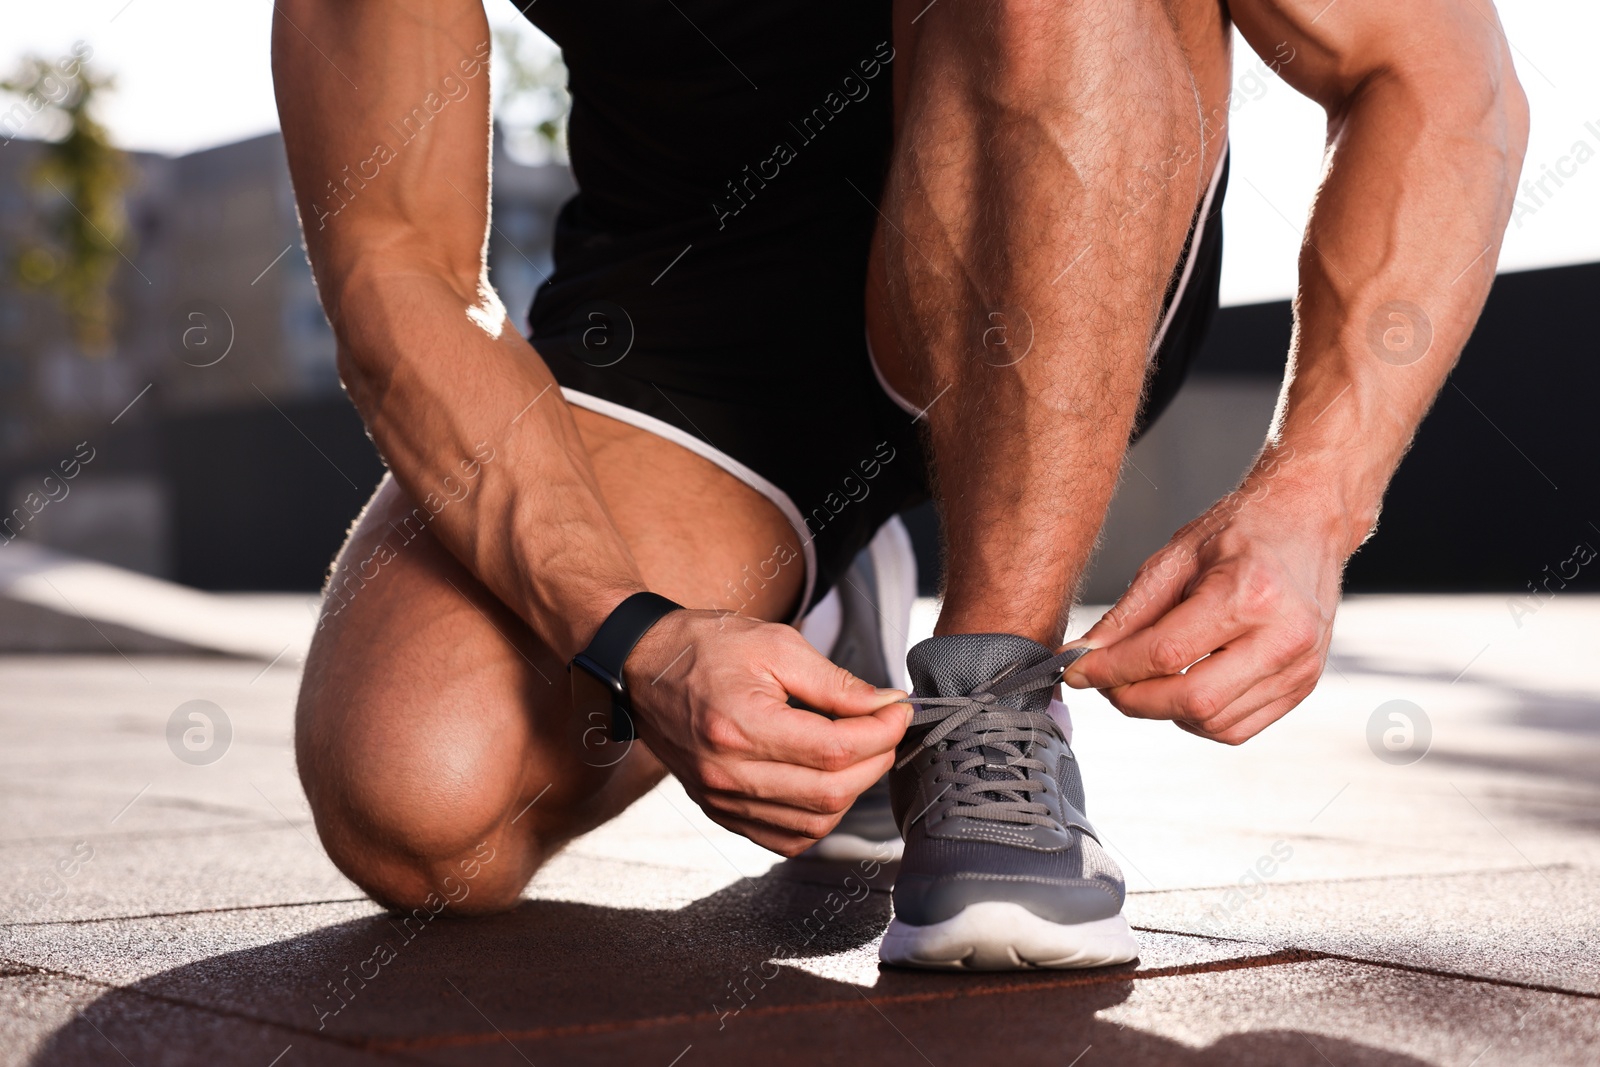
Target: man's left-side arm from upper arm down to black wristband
[[460, 406]]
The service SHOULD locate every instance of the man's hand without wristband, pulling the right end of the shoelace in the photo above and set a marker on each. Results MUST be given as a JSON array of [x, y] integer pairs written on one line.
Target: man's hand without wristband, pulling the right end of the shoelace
[[1225, 629]]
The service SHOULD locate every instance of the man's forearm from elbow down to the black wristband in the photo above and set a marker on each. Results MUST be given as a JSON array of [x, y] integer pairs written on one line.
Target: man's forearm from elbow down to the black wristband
[[447, 398]]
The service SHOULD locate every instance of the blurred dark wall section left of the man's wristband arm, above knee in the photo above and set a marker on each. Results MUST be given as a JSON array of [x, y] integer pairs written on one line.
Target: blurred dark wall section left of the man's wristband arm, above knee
[[262, 497]]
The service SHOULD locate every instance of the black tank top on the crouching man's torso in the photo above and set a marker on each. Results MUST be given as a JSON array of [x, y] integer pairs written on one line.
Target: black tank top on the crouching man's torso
[[729, 158]]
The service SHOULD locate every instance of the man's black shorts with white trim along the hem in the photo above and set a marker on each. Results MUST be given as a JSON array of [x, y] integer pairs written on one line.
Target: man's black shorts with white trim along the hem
[[850, 458]]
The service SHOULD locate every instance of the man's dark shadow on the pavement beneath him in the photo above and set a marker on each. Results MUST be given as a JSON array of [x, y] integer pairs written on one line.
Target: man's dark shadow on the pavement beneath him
[[566, 983]]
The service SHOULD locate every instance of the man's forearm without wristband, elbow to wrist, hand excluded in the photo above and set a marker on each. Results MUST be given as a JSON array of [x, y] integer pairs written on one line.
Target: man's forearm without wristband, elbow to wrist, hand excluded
[[1398, 262]]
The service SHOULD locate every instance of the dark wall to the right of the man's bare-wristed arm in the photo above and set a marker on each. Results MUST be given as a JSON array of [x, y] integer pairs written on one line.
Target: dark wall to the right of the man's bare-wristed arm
[[1503, 479]]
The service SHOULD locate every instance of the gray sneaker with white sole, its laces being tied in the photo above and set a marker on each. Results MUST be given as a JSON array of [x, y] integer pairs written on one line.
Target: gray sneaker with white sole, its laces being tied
[[1002, 869]]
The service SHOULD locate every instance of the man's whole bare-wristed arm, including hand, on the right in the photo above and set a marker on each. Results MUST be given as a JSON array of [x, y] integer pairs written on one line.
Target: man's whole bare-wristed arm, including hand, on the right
[[1426, 134]]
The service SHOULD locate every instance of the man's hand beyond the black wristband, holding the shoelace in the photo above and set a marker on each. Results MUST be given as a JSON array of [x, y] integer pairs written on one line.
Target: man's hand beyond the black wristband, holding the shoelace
[[711, 695]]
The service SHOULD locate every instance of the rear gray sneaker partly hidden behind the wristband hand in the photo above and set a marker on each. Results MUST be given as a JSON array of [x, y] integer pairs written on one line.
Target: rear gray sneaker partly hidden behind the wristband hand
[[874, 615]]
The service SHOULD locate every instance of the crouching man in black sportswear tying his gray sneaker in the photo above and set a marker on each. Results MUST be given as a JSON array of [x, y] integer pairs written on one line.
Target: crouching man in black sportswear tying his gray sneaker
[[1036, 228]]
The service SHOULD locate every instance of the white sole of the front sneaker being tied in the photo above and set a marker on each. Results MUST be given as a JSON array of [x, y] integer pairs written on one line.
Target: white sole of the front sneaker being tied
[[1002, 937]]
